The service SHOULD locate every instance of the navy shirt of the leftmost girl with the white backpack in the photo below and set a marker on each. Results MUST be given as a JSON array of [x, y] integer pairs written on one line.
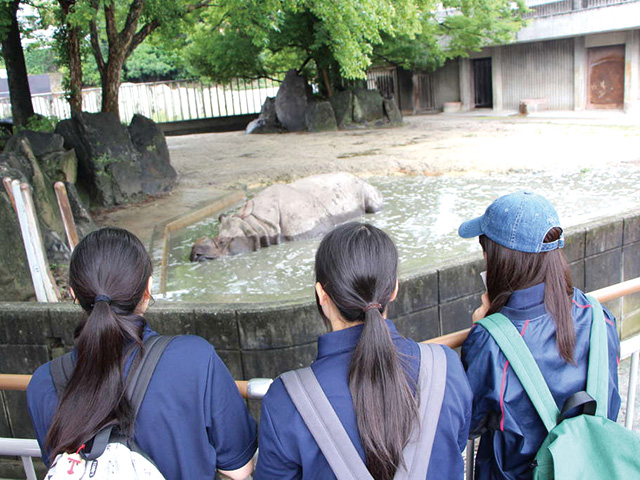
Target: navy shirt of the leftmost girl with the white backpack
[[192, 420]]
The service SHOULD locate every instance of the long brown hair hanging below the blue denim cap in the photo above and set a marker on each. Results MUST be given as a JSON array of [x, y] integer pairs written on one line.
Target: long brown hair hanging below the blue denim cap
[[510, 270]]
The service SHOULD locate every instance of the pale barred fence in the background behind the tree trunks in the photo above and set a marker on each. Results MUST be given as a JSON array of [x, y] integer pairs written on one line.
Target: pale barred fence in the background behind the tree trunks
[[163, 101]]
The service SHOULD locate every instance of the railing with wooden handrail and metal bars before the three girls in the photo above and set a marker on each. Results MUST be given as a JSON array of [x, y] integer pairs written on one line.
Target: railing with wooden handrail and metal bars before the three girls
[[256, 388]]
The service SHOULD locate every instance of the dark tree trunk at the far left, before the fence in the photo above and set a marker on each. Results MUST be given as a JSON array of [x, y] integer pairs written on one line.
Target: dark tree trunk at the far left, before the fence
[[21, 106]]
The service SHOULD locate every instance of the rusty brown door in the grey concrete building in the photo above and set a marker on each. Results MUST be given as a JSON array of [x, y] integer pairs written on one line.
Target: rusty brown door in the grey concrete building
[[606, 77]]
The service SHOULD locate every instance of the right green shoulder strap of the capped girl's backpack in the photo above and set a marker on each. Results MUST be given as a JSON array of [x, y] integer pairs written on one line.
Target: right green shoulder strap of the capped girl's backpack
[[598, 373]]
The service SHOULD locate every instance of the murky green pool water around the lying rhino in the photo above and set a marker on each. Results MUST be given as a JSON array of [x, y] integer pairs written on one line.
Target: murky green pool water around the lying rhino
[[422, 215]]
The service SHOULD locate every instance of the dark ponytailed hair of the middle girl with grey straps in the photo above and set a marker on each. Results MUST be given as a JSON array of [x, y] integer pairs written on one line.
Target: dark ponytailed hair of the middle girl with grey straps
[[357, 266]]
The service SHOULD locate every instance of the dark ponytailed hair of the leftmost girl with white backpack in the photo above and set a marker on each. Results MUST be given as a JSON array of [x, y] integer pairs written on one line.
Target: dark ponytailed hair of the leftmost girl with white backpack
[[114, 263]]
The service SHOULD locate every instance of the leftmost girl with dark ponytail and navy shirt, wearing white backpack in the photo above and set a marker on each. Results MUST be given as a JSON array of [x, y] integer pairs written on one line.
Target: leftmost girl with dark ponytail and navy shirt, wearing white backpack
[[192, 420]]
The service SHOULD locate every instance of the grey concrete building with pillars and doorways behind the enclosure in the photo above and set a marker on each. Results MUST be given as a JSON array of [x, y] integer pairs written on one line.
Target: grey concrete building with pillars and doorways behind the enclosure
[[573, 55]]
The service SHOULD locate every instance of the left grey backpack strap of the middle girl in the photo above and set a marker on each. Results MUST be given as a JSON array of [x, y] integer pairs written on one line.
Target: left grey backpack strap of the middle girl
[[324, 424]]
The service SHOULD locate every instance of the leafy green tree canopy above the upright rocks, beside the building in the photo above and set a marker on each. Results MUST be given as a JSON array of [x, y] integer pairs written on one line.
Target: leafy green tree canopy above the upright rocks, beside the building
[[338, 40]]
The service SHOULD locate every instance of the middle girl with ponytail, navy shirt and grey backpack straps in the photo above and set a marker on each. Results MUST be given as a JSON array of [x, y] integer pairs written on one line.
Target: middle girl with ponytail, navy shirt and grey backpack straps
[[367, 371]]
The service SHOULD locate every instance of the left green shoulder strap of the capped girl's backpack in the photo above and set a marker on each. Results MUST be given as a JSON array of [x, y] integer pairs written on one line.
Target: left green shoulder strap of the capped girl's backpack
[[524, 365]]
